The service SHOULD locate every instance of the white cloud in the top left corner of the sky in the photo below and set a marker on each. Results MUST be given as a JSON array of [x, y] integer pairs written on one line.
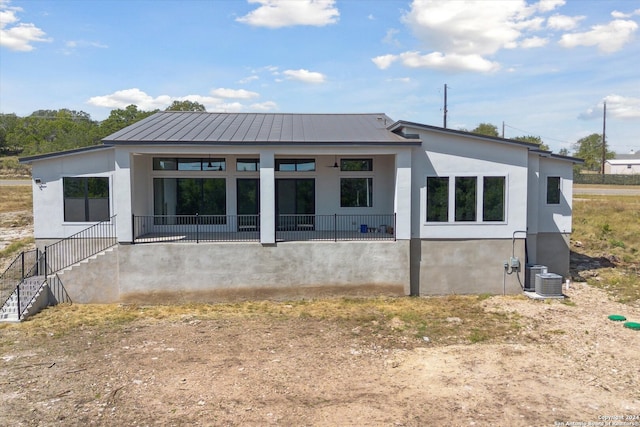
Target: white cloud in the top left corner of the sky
[[18, 36]]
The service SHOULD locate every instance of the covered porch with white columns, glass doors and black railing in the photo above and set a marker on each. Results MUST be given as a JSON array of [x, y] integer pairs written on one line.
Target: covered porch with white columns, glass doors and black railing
[[268, 196]]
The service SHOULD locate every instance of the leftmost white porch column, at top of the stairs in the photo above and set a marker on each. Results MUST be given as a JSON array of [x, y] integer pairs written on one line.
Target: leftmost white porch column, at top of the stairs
[[121, 187]]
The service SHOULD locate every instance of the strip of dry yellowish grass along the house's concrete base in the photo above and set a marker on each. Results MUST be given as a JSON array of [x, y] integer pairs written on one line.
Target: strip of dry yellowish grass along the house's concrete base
[[395, 321]]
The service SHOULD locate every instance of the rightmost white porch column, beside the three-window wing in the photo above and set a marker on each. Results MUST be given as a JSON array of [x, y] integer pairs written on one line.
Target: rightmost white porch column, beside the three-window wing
[[402, 200]]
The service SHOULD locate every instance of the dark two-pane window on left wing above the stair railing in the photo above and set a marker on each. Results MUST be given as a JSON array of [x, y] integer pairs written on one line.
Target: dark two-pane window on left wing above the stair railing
[[86, 199]]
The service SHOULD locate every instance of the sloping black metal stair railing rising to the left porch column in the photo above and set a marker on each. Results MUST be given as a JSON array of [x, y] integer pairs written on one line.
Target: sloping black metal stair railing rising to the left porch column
[[81, 245]]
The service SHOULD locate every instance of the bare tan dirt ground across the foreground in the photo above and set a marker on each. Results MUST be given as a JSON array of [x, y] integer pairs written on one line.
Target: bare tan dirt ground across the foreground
[[568, 364]]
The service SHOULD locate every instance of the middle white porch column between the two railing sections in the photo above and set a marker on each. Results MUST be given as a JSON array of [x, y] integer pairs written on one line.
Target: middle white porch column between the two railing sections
[[267, 198]]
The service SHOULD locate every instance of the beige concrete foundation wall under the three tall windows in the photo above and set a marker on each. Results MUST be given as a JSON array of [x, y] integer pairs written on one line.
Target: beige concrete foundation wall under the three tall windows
[[465, 266]]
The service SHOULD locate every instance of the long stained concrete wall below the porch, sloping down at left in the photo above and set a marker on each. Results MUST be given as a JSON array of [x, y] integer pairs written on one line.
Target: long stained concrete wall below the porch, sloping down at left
[[177, 273]]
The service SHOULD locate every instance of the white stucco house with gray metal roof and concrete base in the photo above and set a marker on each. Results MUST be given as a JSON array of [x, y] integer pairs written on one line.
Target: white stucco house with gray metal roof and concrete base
[[217, 206]]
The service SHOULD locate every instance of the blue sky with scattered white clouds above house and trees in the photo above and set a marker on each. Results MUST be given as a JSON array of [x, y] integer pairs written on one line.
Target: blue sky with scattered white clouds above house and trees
[[540, 67]]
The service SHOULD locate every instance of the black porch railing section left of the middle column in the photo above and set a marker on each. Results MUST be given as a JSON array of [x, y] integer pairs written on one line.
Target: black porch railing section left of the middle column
[[196, 228]]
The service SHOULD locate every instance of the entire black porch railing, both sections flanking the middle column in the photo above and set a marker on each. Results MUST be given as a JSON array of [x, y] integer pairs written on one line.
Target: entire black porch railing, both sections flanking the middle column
[[246, 228]]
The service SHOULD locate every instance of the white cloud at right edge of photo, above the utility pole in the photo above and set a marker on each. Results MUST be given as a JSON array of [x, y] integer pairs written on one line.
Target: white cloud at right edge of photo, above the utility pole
[[608, 38]]
